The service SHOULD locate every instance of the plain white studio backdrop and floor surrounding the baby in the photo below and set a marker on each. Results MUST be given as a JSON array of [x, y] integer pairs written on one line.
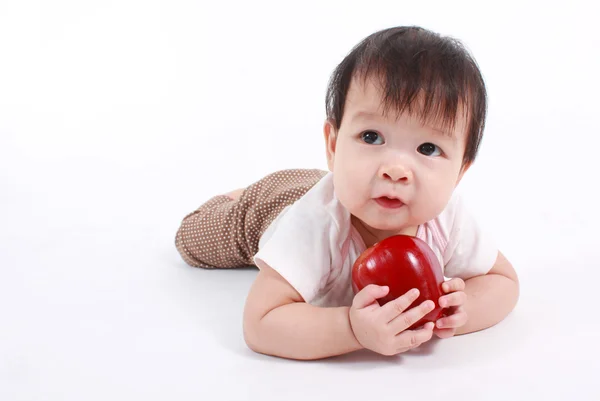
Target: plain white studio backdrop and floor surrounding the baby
[[117, 118]]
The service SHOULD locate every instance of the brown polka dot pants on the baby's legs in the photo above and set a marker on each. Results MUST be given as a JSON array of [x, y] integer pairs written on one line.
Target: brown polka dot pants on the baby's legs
[[224, 233]]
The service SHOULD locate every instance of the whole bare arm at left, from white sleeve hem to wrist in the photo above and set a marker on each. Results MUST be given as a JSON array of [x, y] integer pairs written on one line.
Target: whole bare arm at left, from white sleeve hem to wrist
[[278, 322]]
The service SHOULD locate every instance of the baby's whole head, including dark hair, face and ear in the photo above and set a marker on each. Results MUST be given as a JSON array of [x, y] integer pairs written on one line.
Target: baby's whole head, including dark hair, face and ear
[[405, 116]]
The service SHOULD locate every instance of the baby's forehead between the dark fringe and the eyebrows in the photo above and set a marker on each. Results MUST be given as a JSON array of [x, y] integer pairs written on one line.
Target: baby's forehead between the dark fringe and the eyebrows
[[365, 101]]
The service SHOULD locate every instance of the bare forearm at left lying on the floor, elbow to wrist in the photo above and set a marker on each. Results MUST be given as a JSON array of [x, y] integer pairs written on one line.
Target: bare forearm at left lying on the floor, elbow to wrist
[[302, 331]]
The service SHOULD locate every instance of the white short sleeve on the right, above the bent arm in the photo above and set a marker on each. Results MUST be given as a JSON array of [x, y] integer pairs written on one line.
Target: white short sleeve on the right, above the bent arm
[[471, 250]]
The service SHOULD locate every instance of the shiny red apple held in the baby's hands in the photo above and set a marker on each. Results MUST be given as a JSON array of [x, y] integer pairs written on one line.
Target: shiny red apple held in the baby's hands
[[402, 262]]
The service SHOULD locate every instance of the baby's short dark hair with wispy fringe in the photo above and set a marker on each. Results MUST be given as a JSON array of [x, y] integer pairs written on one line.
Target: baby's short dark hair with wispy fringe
[[411, 62]]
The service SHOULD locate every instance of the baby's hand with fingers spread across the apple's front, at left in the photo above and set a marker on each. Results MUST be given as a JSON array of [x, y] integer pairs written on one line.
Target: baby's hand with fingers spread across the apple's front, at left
[[383, 328]]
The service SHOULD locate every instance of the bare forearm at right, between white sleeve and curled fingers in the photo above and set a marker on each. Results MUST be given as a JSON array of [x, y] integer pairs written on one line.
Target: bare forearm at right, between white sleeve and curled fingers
[[490, 298]]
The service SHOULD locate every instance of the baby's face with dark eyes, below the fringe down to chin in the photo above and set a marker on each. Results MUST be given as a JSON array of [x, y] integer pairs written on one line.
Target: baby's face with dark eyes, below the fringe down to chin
[[372, 156]]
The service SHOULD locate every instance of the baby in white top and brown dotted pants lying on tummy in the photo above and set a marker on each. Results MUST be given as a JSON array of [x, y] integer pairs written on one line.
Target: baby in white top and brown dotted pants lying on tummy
[[406, 112]]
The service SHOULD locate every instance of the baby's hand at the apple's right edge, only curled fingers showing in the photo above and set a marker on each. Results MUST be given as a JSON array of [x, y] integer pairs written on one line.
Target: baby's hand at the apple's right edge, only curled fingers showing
[[454, 301]]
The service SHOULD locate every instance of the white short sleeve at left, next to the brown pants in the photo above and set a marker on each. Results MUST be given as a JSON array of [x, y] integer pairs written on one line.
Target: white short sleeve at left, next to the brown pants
[[297, 245]]
